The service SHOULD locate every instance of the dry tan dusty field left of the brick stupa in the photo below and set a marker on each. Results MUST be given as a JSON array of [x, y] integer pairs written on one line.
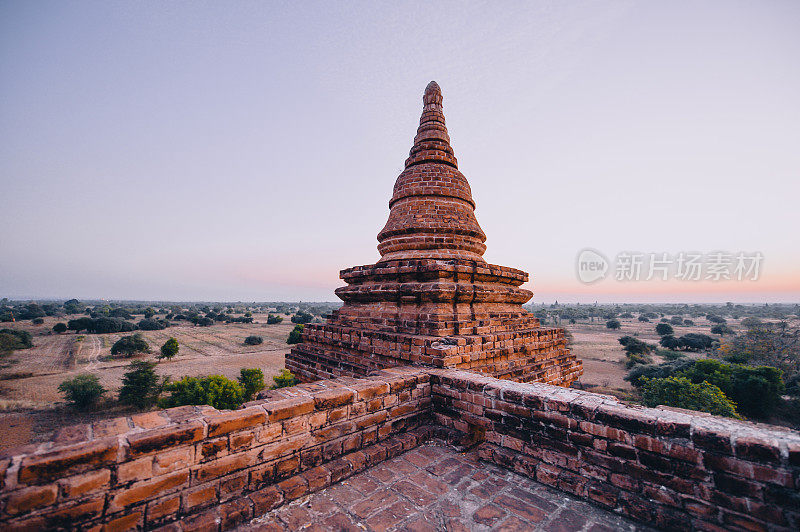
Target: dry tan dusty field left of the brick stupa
[[31, 407]]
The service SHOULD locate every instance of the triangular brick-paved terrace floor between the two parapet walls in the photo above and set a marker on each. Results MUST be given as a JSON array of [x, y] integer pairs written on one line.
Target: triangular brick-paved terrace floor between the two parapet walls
[[435, 488]]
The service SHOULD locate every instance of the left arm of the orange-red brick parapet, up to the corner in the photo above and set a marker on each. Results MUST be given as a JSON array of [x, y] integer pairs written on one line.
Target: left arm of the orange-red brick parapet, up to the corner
[[207, 467]]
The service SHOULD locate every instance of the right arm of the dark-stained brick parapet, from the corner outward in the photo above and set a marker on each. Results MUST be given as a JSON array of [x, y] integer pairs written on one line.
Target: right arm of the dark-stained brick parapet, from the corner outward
[[671, 468]]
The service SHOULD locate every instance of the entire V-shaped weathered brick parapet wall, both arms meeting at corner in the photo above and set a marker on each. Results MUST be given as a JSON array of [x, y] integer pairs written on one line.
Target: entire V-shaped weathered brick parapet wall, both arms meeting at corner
[[193, 468]]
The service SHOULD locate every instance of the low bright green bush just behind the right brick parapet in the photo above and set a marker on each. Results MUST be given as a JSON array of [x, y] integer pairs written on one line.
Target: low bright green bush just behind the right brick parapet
[[682, 393]]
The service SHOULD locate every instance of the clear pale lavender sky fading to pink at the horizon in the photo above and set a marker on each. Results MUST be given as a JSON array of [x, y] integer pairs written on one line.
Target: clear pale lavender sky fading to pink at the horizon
[[247, 150]]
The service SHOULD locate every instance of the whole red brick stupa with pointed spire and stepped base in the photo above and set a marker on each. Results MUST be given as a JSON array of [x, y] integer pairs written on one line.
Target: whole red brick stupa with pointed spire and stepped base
[[432, 299]]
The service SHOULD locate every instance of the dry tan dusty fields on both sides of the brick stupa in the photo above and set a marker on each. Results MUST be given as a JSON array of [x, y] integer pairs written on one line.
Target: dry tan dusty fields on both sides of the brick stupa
[[31, 408]]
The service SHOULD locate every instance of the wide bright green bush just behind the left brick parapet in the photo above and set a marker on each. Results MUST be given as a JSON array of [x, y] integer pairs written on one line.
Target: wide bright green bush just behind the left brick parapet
[[215, 390]]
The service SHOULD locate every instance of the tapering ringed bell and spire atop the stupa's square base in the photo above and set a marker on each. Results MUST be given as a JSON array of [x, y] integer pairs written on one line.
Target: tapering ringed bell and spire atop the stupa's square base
[[432, 213]]
